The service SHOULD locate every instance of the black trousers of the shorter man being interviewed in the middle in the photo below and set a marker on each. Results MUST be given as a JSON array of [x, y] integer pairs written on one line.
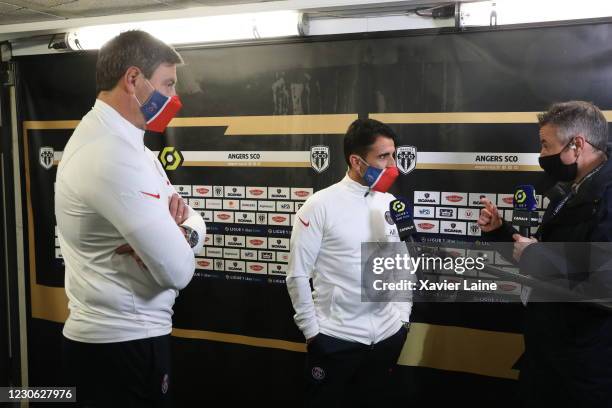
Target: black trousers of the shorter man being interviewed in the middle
[[341, 373]]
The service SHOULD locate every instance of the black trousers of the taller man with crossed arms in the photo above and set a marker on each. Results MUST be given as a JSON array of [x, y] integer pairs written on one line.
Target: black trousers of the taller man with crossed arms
[[125, 374]]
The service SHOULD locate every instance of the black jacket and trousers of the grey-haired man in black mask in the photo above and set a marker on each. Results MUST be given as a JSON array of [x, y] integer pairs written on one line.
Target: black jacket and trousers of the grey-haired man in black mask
[[568, 346]]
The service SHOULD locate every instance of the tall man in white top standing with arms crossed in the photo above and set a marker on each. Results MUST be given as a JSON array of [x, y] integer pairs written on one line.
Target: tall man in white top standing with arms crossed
[[127, 237]]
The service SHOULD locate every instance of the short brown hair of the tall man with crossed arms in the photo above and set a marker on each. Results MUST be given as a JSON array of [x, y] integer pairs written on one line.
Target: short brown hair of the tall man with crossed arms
[[131, 48]]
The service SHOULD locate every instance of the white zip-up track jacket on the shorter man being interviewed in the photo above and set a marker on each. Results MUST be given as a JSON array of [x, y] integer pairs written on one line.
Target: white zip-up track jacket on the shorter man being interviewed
[[326, 246]]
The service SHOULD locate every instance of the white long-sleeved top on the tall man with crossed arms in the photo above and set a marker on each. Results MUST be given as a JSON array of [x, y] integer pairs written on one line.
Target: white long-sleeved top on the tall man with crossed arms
[[111, 190]]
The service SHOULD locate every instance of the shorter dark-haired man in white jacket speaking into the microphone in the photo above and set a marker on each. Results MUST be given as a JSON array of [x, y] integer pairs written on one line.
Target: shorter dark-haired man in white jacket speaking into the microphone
[[352, 345]]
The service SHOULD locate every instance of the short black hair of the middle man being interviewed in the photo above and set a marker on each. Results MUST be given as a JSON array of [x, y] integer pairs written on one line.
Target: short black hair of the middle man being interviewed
[[362, 134]]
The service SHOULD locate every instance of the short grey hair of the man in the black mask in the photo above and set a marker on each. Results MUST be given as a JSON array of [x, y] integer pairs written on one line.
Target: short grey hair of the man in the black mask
[[577, 117]]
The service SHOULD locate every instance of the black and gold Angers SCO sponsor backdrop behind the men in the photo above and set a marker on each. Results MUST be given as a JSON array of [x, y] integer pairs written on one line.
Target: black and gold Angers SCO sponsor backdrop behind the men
[[261, 131]]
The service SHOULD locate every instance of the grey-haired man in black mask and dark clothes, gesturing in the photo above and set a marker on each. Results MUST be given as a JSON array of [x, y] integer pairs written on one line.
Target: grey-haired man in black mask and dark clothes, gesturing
[[568, 346]]
